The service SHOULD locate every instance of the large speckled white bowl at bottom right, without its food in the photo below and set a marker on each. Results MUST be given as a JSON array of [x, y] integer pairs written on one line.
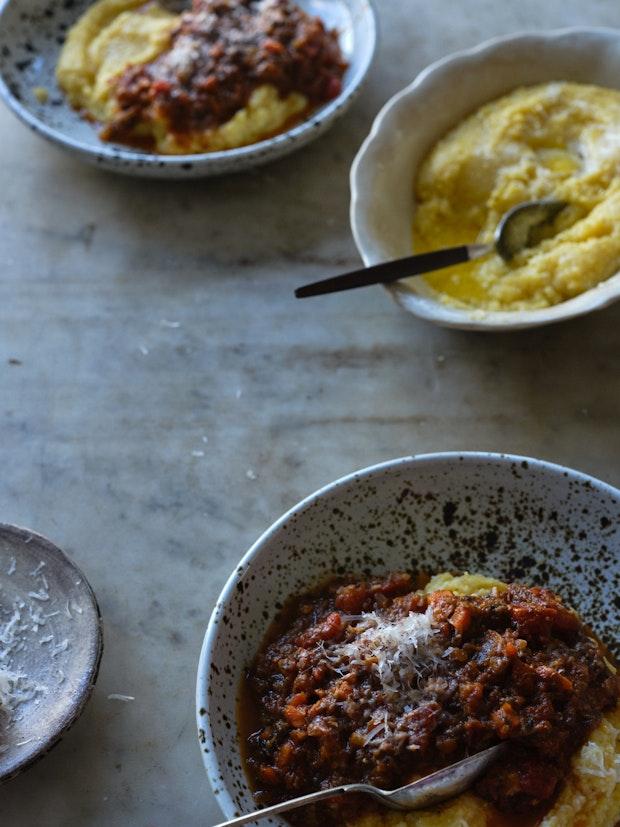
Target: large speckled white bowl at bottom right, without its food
[[509, 517]]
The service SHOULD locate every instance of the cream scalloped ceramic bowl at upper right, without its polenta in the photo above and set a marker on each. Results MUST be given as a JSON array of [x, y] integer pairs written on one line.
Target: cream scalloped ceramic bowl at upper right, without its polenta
[[383, 173]]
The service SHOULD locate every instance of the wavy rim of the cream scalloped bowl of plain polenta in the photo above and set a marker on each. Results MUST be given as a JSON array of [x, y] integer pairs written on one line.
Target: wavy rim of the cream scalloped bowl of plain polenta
[[427, 306]]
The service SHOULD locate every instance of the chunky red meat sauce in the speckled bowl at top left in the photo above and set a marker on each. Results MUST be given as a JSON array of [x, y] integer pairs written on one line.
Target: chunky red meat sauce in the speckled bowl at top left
[[221, 51]]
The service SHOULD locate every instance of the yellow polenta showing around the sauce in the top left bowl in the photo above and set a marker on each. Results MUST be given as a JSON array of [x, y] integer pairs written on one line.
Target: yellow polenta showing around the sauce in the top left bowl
[[115, 34]]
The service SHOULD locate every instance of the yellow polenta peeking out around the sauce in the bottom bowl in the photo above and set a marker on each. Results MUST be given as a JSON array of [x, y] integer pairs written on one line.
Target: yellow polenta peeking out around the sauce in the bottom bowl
[[591, 794]]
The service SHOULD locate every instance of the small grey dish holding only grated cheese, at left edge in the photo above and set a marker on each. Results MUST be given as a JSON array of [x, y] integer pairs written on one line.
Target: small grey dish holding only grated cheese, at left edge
[[50, 633]]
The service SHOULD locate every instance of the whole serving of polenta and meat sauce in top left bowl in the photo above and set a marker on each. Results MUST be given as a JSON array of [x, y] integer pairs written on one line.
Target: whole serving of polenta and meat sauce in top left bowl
[[217, 77]]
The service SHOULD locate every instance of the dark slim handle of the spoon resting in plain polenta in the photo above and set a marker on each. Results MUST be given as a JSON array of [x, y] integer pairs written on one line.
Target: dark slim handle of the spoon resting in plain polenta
[[393, 270]]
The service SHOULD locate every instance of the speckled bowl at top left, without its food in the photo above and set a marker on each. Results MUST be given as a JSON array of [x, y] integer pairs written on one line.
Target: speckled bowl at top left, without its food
[[32, 33]]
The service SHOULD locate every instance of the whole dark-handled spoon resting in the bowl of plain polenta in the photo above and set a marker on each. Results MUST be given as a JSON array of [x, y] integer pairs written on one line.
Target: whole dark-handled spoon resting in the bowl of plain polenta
[[518, 228]]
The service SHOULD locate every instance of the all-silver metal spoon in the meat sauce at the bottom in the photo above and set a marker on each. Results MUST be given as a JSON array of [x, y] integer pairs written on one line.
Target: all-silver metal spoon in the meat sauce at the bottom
[[425, 792]]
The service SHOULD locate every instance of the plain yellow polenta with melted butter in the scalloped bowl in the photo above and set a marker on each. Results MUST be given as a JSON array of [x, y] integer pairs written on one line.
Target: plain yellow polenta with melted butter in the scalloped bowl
[[559, 140]]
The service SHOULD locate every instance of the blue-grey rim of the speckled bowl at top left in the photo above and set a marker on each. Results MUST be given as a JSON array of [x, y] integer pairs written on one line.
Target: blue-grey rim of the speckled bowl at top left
[[115, 153]]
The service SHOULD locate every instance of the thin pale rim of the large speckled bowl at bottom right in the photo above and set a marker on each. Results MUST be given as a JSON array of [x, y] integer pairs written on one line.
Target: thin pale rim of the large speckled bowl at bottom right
[[206, 741]]
